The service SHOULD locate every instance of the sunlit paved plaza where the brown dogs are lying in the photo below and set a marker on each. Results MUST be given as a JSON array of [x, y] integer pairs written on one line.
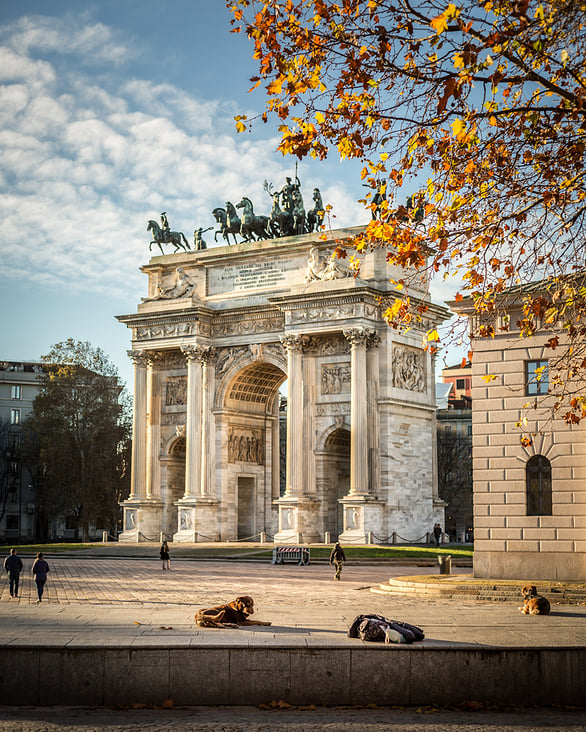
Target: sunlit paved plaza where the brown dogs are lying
[[131, 602]]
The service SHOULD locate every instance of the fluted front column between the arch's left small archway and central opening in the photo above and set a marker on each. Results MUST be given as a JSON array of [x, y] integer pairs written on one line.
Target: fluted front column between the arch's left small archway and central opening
[[193, 433]]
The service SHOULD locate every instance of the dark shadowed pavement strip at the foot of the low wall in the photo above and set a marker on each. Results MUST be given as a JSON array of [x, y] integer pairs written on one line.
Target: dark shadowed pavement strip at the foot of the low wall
[[251, 719]]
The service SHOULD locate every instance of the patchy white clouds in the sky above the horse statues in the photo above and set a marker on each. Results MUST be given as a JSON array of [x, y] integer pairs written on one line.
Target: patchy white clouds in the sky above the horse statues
[[85, 165]]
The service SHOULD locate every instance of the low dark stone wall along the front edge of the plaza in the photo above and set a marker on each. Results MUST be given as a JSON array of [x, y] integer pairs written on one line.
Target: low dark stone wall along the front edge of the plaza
[[374, 674]]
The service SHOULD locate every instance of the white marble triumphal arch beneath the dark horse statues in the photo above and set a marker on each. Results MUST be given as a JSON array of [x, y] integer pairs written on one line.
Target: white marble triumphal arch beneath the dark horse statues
[[213, 344]]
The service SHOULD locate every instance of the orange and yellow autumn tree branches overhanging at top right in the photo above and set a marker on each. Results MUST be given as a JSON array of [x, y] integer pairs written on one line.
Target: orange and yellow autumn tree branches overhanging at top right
[[480, 107]]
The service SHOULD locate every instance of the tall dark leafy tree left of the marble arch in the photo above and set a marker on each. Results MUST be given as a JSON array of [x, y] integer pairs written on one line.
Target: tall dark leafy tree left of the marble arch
[[79, 432]]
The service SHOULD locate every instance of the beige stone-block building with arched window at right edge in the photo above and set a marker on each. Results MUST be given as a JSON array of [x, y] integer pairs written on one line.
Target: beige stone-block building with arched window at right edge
[[529, 499]]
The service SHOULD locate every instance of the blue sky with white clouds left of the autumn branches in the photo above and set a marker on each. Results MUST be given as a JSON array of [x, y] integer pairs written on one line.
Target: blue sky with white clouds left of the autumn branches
[[110, 113]]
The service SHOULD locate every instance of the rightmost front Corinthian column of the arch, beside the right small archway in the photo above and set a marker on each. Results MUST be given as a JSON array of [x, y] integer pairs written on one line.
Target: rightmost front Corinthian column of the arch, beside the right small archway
[[358, 338]]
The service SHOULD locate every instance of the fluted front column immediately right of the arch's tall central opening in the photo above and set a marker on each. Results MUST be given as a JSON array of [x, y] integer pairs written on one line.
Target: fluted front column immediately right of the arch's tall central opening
[[294, 469]]
